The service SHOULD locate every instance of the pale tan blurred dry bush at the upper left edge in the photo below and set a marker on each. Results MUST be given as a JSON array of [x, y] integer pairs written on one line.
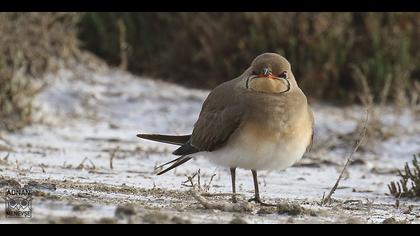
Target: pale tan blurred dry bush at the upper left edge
[[31, 44]]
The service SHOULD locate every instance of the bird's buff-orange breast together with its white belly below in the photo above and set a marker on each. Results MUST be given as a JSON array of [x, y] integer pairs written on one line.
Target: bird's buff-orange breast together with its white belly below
[[266, 146]]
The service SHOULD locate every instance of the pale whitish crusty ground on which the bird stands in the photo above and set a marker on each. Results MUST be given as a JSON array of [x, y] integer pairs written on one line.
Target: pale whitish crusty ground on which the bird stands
[[87, 165]]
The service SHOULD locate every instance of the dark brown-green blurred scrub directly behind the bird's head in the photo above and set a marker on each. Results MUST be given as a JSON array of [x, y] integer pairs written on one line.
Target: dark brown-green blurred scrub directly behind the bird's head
[[203, 49]]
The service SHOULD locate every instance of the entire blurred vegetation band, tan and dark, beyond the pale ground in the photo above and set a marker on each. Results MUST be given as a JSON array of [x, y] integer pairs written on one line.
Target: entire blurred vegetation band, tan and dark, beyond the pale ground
[[340, 58]]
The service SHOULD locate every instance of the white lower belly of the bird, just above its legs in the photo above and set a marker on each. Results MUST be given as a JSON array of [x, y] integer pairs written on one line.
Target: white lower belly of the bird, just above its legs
[[250, 152]]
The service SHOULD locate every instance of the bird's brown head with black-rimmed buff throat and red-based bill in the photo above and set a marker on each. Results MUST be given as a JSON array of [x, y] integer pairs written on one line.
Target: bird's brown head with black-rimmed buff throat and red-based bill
[[270, 73]]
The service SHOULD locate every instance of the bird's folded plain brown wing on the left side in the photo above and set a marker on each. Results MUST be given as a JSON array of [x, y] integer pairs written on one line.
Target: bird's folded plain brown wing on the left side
[[220, 116]]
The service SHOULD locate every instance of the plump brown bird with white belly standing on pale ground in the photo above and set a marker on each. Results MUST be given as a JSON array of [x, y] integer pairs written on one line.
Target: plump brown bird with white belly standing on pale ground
[[260, 120]]
